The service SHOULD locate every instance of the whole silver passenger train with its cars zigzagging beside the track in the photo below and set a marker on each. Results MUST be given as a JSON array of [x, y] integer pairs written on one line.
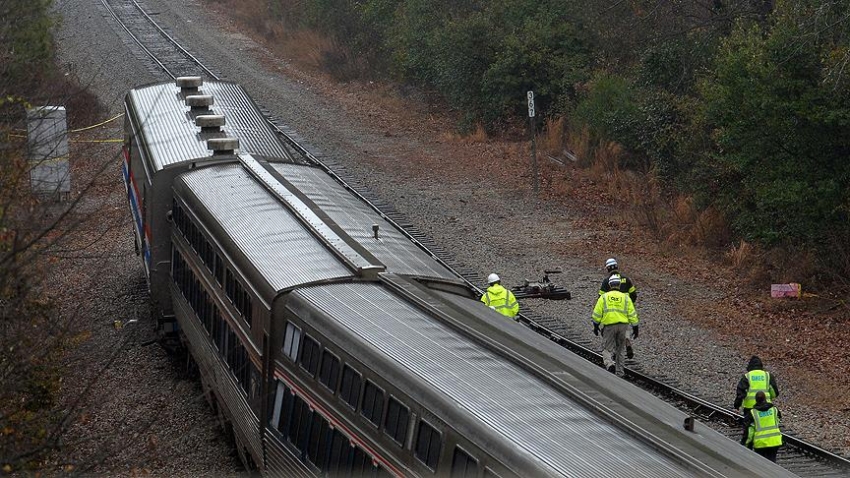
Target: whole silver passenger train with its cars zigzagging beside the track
[[334, 346]]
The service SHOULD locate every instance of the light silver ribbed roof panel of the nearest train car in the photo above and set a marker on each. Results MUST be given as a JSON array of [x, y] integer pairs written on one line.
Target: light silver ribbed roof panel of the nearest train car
[[558, 432]]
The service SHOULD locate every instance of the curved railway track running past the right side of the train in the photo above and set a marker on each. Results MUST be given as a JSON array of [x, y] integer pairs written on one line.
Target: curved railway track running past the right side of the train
[[797, 456]]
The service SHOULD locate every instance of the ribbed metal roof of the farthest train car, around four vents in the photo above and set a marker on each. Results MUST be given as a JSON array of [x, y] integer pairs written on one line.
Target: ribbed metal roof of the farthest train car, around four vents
[[168, 127]]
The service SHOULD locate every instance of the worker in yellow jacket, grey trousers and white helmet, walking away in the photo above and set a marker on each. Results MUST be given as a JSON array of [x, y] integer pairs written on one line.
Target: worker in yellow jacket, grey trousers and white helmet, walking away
[[612, 315]]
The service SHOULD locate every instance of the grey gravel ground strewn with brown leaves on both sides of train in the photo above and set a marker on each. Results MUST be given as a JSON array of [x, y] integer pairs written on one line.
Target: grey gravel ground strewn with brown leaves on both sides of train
[[405, 158]]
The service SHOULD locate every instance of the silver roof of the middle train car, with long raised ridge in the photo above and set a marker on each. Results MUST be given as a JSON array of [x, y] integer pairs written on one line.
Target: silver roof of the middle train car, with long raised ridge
[[297, 226]]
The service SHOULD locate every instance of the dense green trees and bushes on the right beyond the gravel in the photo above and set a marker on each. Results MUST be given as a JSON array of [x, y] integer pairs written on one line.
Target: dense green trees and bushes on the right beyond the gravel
[[741, 105]]
